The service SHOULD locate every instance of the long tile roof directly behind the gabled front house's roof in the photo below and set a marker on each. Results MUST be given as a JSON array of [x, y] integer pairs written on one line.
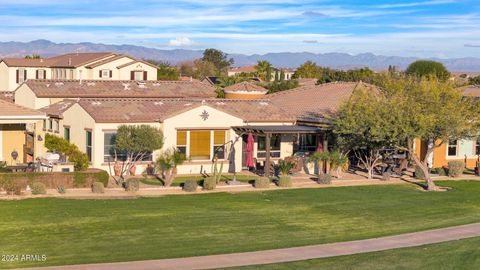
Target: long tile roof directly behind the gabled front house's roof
[[119, 89]]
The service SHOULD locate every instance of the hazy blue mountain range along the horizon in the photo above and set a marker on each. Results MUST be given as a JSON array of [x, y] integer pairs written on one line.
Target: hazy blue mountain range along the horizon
[[47, 48]]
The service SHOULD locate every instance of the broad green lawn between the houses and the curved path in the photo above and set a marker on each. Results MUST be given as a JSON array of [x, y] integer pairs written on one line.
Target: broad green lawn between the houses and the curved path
[[88, 231]]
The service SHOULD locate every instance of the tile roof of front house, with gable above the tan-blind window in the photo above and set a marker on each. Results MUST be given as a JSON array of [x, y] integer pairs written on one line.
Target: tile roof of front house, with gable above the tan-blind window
[[138, 110]]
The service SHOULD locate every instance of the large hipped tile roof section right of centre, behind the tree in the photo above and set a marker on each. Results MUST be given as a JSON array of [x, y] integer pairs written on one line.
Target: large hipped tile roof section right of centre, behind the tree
[[312, 103]]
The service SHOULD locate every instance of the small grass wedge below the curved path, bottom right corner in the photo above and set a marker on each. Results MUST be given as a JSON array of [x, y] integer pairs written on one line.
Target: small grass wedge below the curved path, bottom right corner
[[458, 255]]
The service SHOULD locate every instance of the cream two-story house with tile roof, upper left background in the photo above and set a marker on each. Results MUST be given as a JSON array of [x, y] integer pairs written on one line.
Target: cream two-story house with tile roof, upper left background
[[75, 66]]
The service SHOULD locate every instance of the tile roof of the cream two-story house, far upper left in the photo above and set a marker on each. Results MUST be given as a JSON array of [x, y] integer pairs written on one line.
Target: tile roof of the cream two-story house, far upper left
[[66, 60]]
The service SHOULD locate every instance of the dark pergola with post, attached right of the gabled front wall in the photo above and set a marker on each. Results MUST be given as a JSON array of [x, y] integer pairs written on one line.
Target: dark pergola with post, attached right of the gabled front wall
[[267, 131]]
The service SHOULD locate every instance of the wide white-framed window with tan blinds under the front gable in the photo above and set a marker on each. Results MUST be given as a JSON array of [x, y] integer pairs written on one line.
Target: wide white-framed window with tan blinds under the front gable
[[202, 144]]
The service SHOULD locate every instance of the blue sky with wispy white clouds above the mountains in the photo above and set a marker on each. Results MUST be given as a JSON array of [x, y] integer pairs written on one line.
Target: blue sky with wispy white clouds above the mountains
[[420, 28]]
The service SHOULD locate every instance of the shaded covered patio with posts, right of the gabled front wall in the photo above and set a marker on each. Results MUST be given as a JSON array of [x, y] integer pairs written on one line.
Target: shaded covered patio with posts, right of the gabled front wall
[[275, 142]]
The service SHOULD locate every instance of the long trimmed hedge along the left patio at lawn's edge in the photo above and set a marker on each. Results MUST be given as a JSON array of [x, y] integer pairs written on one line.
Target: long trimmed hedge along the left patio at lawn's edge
[[81, 179]]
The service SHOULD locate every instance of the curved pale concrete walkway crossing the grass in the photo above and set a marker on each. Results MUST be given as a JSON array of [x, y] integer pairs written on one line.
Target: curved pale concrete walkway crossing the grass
[[293, 254]]
